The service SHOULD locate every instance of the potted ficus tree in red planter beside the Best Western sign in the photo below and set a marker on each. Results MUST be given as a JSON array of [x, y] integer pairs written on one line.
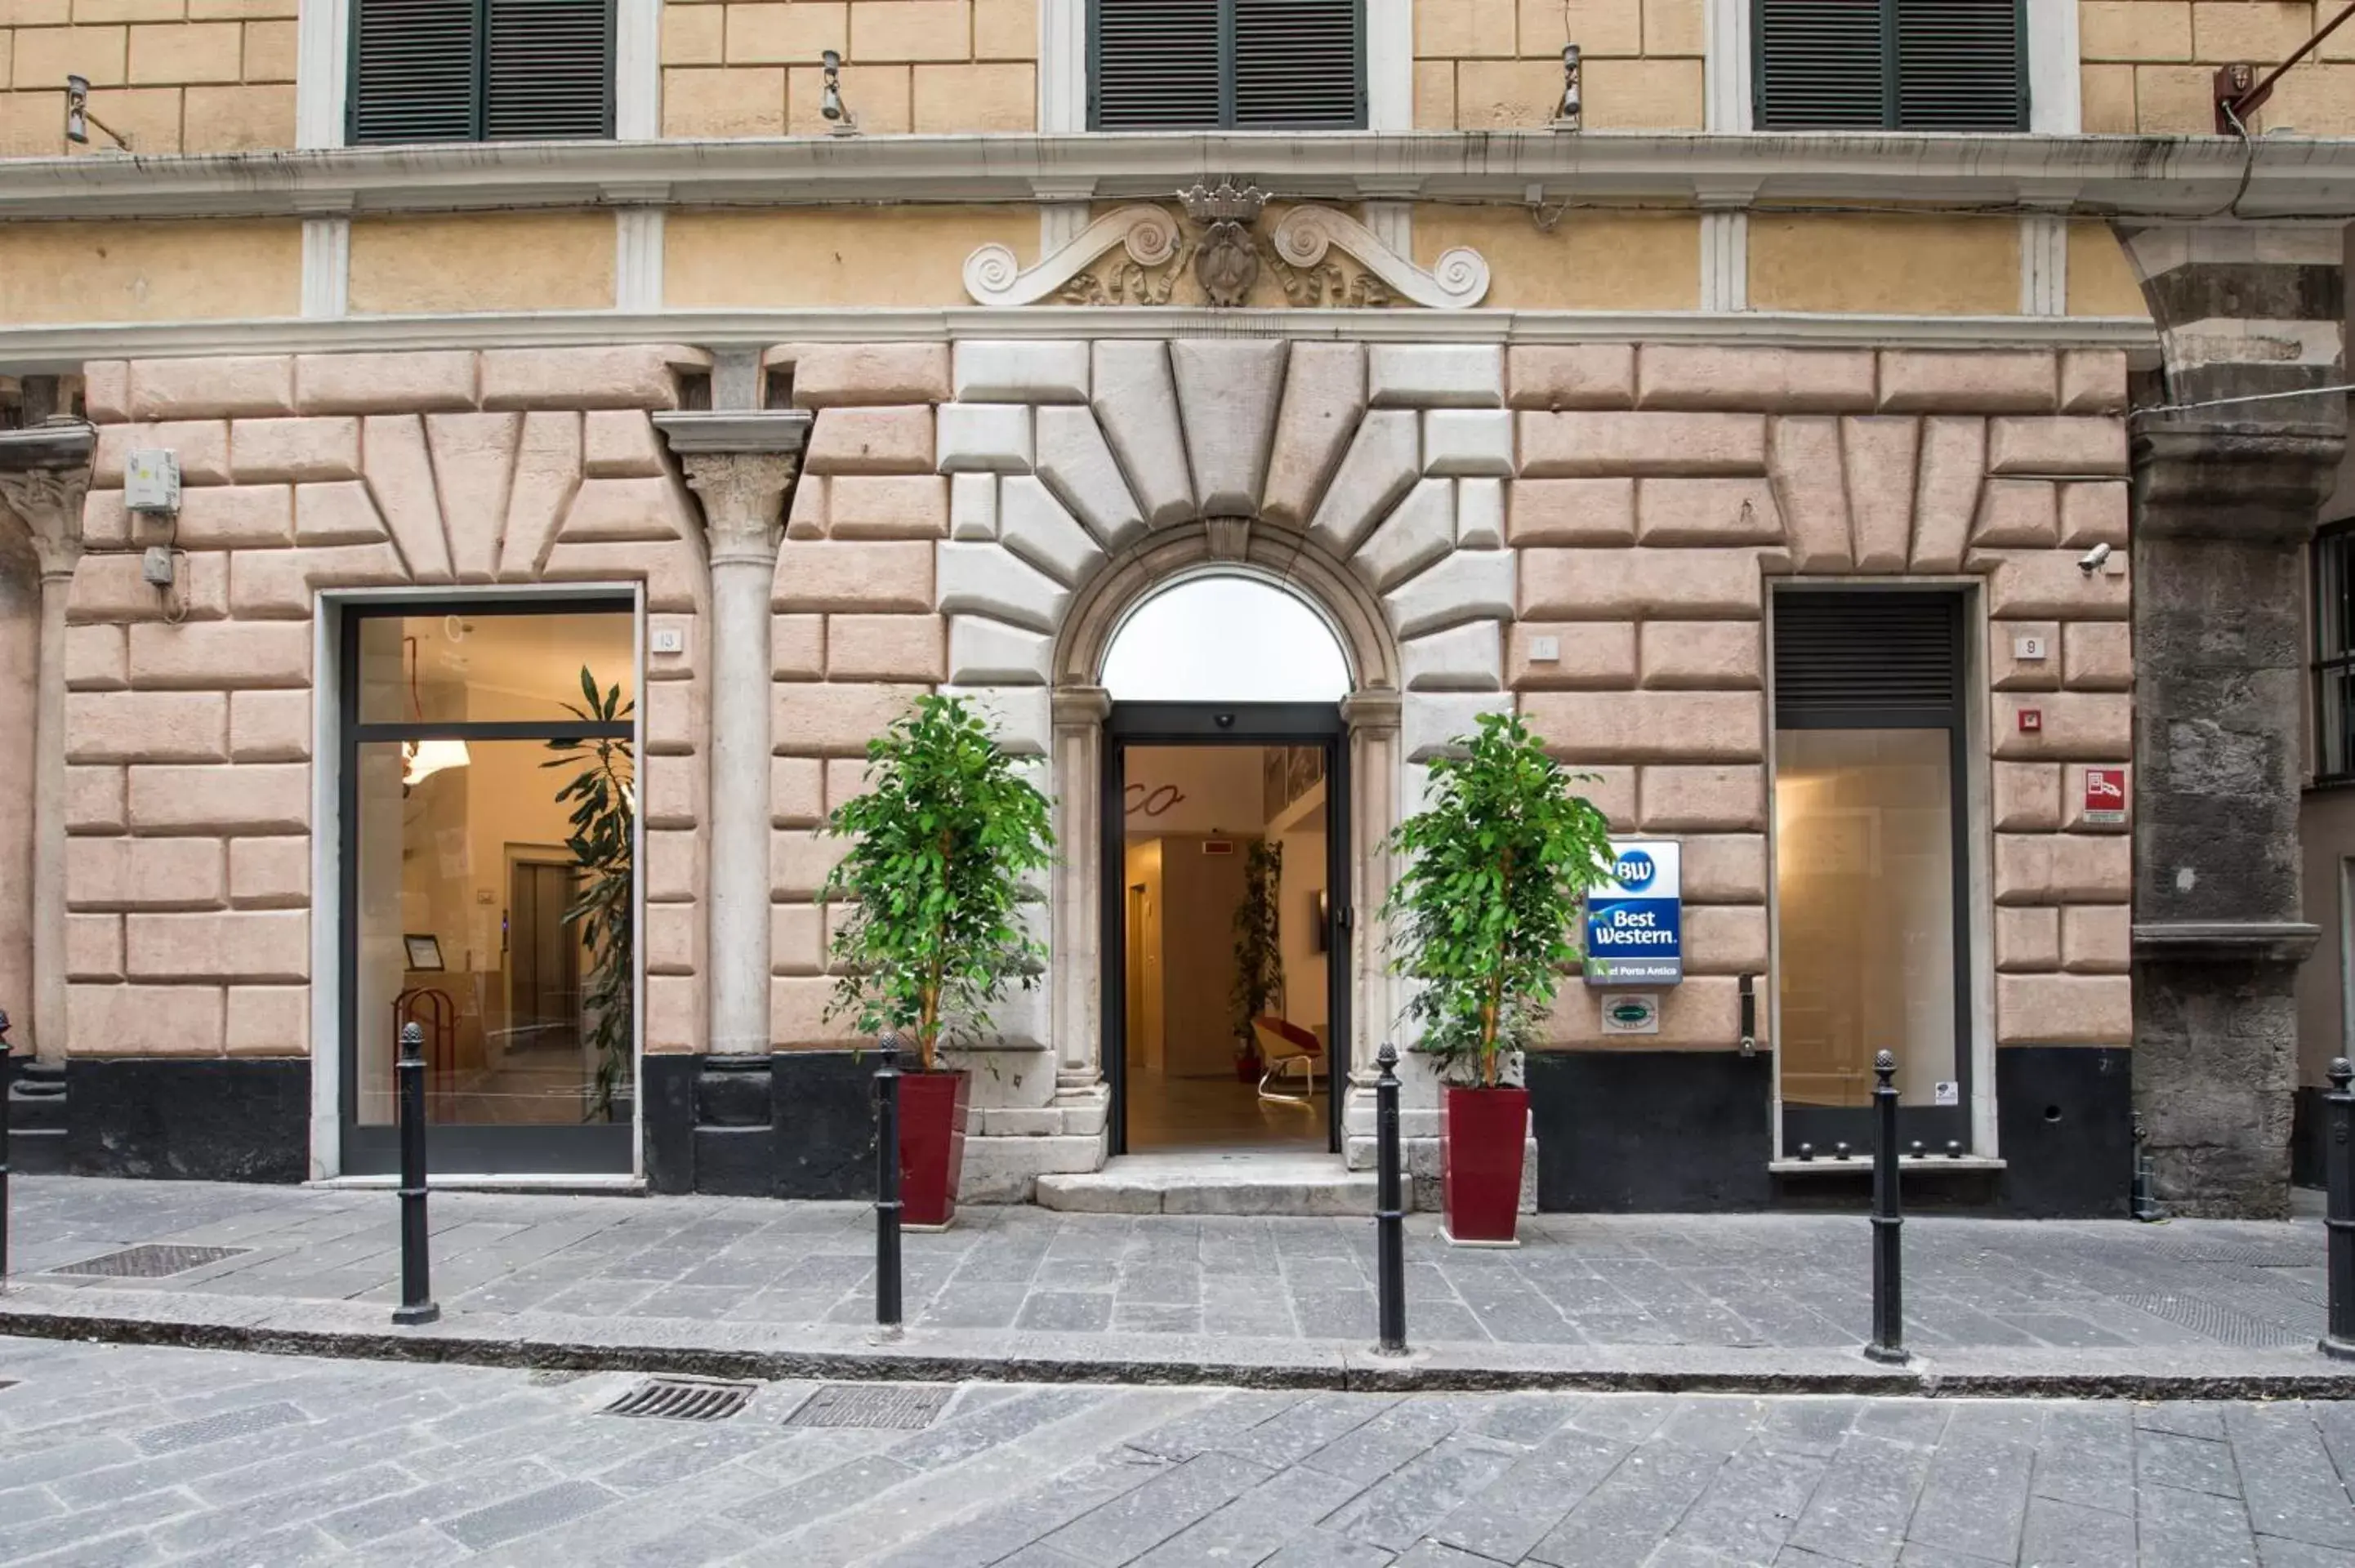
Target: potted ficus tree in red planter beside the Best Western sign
[[1482, 915]]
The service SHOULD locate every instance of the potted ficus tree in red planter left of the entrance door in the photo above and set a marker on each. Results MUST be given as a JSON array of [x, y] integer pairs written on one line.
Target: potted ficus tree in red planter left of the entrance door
[[938, 851]]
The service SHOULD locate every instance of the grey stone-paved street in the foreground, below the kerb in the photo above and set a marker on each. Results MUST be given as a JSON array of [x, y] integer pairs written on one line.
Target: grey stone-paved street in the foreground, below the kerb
[[135, 1456]]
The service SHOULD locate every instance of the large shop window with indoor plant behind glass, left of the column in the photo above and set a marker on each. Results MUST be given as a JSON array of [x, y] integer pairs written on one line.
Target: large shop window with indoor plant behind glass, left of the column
[[491, 882]]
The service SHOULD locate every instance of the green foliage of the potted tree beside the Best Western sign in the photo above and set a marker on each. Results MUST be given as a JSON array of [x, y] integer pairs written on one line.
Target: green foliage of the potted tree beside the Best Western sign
[[1482, 912]]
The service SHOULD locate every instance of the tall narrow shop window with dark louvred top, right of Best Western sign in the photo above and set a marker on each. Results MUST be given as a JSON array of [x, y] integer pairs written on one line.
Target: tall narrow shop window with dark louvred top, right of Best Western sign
[[1871, 858]]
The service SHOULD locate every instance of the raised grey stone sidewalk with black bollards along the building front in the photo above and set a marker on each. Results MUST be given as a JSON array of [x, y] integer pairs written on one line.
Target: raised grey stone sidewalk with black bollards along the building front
[[1727, 1282]]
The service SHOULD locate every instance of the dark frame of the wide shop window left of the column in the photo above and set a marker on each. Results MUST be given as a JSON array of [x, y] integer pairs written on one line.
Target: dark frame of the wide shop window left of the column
[[453, 1148]]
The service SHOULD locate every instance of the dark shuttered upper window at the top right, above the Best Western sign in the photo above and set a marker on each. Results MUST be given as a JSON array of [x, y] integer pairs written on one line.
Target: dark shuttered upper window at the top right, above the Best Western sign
[[1892, 65]]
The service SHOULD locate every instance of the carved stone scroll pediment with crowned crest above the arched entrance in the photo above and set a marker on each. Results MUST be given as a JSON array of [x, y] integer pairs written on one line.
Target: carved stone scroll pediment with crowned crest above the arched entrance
[[1320, 255]]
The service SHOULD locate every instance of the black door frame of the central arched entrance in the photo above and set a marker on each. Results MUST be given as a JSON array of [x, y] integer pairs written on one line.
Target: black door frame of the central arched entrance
[[1223, 724]]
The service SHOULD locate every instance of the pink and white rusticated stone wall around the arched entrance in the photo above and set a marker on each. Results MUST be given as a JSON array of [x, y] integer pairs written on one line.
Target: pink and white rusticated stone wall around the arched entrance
[[1633, 503]]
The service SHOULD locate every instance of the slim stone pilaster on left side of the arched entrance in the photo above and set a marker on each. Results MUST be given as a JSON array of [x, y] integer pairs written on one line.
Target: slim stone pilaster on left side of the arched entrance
[[1077, 922]]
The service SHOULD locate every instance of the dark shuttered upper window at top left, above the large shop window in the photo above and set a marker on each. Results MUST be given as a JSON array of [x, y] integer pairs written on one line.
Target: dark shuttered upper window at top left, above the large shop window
[[482, 69]]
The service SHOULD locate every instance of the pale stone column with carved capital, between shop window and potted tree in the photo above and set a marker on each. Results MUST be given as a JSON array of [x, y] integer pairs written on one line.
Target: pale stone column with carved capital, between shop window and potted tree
[[743, 498]]
